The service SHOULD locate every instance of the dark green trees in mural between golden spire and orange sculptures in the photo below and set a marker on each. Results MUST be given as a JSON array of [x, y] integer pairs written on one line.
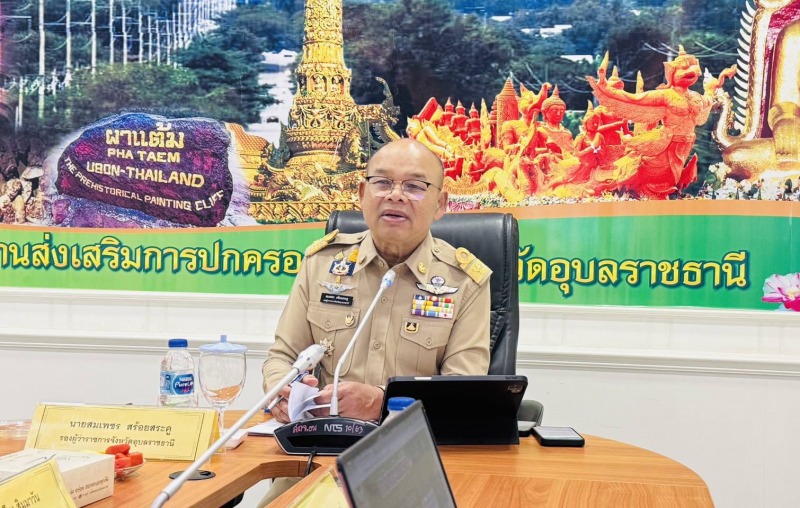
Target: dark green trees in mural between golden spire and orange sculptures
[[423, 48]]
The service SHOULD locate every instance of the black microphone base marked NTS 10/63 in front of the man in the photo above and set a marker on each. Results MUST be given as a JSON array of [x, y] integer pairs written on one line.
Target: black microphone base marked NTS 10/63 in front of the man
[[324, 436]]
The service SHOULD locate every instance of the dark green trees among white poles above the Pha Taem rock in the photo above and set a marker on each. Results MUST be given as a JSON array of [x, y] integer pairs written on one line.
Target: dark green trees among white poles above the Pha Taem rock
[[223, 65]]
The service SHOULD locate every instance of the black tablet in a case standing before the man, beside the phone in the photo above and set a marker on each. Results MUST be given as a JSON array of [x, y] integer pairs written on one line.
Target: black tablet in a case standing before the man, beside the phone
[[468, 410]]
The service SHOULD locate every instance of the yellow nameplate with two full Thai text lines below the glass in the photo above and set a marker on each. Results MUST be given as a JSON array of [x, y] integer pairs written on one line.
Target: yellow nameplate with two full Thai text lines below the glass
[[160, 433]]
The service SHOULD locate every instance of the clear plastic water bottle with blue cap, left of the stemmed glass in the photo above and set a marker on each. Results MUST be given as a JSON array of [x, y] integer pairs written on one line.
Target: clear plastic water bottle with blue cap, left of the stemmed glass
[[177, 376]]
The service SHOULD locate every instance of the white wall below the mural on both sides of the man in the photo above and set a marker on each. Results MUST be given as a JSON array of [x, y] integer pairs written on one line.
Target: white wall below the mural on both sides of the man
[[716, 390]]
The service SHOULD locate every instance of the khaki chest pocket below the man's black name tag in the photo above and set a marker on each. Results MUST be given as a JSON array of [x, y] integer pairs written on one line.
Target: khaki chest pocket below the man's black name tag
[[333, 327]]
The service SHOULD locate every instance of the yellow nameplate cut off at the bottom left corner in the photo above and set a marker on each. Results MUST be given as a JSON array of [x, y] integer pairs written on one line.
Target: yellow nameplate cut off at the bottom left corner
[[40, 485]]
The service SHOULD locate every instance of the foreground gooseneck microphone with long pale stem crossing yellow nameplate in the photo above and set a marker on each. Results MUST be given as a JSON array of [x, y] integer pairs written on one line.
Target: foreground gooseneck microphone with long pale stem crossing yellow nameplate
[[307, 360]]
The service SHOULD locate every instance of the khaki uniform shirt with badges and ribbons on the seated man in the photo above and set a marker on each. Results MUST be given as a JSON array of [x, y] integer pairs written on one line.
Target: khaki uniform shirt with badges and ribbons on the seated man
[[338, 281]]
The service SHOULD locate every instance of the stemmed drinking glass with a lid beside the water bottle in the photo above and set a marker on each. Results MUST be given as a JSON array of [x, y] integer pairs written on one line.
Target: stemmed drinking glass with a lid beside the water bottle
[[222, 369]]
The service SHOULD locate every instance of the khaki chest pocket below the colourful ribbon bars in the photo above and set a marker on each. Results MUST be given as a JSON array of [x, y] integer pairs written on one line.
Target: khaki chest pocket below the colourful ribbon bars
[[420, 353]]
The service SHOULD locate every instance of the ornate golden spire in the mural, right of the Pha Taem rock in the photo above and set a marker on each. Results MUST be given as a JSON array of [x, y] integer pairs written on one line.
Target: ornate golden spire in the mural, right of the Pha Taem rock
[[319, 163]]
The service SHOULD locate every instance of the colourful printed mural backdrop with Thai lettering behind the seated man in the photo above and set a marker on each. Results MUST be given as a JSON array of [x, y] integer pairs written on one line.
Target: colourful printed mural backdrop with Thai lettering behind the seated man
[[649, 149]]
